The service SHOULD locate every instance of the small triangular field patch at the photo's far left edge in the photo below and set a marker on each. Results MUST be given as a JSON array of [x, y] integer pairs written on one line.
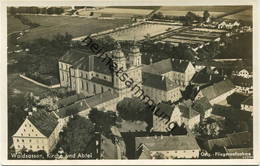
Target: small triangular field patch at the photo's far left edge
[[15, 25]]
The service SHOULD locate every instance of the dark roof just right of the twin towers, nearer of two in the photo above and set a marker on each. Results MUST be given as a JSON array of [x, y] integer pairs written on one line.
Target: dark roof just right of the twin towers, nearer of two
[[158, 82]]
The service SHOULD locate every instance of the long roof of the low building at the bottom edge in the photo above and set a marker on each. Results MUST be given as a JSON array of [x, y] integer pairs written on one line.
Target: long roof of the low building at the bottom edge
[[163, 143]]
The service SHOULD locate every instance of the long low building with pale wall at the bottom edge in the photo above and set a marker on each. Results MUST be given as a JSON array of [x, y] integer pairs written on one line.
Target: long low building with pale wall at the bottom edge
[[169, 147]]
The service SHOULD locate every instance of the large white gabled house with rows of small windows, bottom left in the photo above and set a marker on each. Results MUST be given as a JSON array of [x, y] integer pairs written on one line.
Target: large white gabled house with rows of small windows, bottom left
[[39, 131]]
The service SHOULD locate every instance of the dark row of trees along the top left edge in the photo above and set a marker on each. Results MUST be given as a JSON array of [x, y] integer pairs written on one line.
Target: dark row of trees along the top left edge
[[35, 10]]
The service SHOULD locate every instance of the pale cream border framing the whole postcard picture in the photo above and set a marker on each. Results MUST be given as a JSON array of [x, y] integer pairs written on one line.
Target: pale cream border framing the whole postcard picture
[[3, 82]]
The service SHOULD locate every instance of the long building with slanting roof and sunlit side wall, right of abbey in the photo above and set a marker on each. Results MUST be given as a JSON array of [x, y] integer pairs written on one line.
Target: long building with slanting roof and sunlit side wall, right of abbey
[[217, 92]]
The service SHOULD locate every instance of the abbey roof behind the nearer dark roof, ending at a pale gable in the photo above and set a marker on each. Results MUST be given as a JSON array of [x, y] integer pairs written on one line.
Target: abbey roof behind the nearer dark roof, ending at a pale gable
[[167, 65]]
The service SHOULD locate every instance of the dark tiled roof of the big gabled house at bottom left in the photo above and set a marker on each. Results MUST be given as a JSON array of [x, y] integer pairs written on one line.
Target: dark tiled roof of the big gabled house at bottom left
[[44, 121]]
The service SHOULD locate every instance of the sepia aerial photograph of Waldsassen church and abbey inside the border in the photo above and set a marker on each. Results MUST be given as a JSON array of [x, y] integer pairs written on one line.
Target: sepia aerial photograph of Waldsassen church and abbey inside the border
[[130, 82]]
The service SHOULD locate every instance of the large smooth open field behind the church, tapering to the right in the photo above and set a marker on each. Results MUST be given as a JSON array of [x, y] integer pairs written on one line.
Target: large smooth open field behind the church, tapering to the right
[[76, 26]]
